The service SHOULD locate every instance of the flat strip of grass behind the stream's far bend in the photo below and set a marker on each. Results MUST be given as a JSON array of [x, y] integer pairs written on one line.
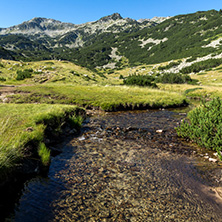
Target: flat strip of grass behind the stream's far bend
[[108, 98]]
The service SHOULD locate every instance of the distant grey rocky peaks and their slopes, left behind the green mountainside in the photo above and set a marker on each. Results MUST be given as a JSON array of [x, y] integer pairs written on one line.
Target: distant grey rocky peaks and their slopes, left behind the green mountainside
[[41, 38]]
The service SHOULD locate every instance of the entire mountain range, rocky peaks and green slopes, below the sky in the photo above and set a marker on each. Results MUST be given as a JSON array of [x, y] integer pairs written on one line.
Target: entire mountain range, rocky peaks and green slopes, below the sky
[[115, 42]]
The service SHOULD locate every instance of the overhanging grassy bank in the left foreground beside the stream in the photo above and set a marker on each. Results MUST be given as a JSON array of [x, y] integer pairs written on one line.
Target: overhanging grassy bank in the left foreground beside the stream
[[23, 128]]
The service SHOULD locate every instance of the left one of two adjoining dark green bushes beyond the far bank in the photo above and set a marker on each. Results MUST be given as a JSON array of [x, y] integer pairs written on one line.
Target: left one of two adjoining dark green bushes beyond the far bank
[[140, 80]]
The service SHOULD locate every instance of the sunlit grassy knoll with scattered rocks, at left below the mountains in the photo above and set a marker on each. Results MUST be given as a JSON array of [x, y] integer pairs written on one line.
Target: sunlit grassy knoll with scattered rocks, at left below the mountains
[[47, 71]]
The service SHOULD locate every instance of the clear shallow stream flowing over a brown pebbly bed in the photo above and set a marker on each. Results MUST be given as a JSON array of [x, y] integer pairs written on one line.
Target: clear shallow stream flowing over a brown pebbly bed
[[127, 166]]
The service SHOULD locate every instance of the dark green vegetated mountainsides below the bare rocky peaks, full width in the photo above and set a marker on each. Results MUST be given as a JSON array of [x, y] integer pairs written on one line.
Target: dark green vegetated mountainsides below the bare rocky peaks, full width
[[192, 35]]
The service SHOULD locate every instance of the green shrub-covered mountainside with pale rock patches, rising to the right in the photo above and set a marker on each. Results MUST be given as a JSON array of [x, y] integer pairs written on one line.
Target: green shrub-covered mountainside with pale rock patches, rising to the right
[[193, 35]]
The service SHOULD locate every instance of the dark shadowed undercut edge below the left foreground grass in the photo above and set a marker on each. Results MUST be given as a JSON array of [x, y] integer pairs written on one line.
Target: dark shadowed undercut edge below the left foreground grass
[[31, 164]]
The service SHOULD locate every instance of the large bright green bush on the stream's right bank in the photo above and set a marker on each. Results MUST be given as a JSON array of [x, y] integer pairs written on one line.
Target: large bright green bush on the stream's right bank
[[204, 125]]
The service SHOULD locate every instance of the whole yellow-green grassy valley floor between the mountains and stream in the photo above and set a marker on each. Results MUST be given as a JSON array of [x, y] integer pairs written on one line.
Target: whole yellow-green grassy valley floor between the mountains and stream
[[46, 102]]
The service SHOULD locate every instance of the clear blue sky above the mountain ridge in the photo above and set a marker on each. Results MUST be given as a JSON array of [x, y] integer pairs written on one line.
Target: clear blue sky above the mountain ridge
[[14, 12]]
